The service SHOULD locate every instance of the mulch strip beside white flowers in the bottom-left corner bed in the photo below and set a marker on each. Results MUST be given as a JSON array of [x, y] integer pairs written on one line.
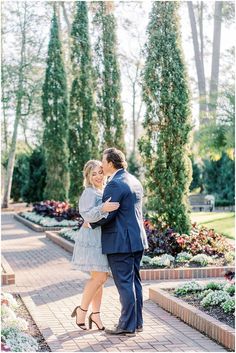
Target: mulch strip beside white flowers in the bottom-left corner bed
[[33, 330]]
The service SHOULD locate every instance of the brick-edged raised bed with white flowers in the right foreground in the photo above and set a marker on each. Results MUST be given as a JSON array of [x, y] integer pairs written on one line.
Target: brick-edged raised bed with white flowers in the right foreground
[[163, 295]]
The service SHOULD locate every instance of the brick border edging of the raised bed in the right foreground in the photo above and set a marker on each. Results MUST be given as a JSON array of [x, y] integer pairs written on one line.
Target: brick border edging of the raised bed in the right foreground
[[194, 317]]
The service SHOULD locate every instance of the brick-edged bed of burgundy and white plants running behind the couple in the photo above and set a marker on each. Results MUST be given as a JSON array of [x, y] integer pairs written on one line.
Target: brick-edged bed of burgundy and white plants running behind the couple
[[202, 254]]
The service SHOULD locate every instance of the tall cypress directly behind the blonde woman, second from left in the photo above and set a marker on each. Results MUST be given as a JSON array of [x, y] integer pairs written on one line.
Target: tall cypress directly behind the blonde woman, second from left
[[83, 142]]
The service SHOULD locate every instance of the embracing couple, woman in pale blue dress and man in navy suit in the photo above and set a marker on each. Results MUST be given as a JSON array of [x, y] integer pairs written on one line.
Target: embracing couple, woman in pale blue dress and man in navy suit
[[112, 238]]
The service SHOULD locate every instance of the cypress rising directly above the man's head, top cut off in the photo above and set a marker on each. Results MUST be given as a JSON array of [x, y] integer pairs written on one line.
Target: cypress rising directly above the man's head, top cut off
[[110, 109]]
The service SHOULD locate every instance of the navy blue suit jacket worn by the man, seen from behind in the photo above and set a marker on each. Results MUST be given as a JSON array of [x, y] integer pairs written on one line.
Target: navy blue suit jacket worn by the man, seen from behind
[[123, 230]]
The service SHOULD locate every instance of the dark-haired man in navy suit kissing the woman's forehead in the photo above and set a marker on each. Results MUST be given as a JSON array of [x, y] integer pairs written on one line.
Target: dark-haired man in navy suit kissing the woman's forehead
[[124, 239]]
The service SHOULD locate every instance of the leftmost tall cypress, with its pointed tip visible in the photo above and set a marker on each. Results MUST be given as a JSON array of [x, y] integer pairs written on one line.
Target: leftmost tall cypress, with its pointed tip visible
[[55, 117]]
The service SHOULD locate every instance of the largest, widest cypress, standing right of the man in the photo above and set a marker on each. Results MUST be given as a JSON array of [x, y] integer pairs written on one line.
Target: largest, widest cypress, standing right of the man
[[164, 146]]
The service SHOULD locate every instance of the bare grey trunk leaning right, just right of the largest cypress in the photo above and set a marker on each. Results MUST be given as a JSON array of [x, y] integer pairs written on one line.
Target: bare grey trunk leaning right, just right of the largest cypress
[[199, 66]]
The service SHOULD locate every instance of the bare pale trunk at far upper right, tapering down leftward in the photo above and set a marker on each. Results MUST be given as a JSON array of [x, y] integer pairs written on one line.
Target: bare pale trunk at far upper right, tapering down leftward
[[215, 64]]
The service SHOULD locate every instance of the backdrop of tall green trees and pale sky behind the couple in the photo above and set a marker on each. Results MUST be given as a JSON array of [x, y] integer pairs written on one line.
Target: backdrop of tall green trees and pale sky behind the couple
[[99, 86]]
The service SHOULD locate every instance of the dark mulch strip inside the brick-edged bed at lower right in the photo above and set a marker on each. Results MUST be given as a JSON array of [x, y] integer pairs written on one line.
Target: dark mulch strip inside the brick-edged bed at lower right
[[216, 312]]
